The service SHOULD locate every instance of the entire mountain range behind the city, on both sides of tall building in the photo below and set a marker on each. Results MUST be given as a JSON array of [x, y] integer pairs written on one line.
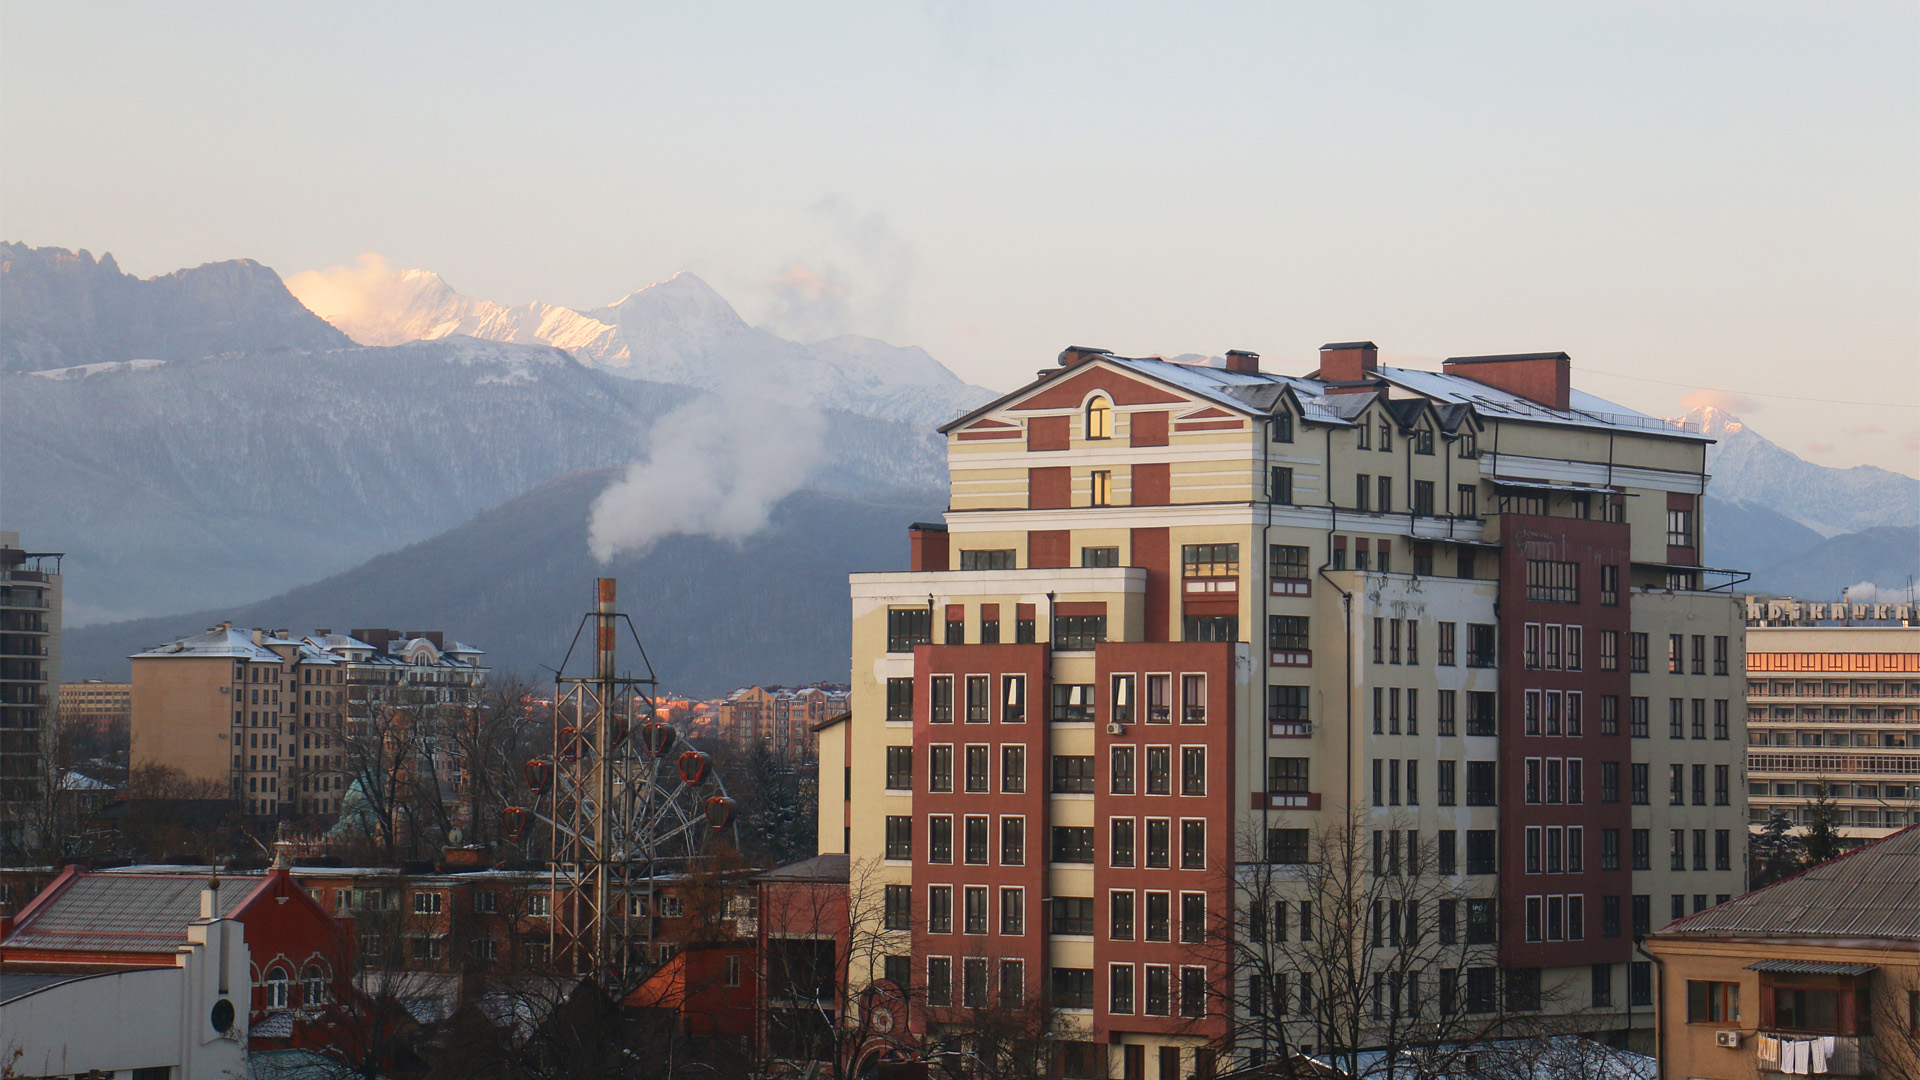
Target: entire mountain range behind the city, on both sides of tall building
[[203, 441]]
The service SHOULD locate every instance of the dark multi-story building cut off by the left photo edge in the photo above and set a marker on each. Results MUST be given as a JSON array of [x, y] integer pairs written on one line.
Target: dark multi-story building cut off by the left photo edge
[[30, 670]]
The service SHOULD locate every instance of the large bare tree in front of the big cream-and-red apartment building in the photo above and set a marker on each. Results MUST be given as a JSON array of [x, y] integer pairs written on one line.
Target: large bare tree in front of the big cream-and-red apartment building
[[1351, 945]]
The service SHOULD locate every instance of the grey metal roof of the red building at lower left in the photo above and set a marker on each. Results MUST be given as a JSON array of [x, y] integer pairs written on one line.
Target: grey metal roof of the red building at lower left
[[124, 914]]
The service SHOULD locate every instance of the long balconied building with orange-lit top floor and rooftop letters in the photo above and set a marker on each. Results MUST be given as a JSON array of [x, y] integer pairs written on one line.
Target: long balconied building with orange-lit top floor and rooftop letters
[[1835, 704]]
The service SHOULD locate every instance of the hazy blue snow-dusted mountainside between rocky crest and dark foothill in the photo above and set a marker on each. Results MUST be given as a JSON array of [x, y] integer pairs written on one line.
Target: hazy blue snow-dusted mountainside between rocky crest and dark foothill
[[224, 479]]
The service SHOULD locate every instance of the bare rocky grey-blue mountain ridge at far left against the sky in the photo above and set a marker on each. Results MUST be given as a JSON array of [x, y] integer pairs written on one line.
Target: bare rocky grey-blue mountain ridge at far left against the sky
[[66, 308]]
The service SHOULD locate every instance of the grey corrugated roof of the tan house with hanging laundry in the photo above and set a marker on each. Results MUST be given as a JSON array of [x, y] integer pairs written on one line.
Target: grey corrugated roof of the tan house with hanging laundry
[[1869, 893]]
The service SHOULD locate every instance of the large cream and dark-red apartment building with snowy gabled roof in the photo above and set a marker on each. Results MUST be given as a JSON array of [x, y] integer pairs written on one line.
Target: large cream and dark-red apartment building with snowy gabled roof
[[1184, 620]]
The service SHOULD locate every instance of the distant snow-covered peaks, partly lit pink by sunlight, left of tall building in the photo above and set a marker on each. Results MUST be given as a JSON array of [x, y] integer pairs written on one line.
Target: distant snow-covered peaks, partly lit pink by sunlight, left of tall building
[[675, 331]]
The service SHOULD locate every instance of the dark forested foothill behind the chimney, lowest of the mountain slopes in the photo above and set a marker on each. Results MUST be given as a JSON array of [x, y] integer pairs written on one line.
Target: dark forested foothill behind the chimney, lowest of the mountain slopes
[[517, 579]]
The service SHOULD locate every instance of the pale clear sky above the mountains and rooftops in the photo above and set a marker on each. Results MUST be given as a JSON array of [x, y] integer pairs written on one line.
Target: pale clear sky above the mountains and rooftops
[[1702, 203]]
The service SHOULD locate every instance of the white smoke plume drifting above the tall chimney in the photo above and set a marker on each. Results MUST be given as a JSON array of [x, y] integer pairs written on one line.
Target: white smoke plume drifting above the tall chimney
[[715, 468]]
